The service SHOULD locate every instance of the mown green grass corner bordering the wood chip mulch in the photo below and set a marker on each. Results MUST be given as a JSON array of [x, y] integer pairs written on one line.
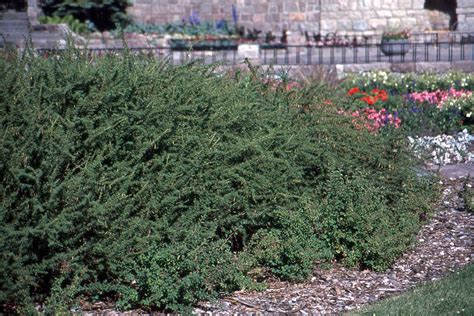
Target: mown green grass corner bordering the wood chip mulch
[[449, 296]]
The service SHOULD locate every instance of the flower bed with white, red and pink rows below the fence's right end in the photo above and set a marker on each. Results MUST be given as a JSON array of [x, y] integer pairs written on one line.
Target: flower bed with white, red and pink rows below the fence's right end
[[428, 104]]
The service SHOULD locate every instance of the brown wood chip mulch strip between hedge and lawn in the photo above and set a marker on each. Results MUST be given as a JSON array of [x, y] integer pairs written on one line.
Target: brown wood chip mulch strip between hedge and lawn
[[442, 246]]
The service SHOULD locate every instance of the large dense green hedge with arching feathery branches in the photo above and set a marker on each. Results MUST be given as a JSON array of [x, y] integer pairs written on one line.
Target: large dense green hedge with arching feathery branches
[[156, 185]]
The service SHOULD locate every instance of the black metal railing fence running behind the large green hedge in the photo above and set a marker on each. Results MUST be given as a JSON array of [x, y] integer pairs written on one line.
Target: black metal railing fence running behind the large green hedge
[[429, 47]]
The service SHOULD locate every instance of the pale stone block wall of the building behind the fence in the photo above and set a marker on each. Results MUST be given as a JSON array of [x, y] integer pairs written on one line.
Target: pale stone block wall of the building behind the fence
[[325, 16]]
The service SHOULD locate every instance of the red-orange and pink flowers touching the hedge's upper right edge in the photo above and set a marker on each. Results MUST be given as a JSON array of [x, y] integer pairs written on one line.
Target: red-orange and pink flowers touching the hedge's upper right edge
[[369, 117]]
